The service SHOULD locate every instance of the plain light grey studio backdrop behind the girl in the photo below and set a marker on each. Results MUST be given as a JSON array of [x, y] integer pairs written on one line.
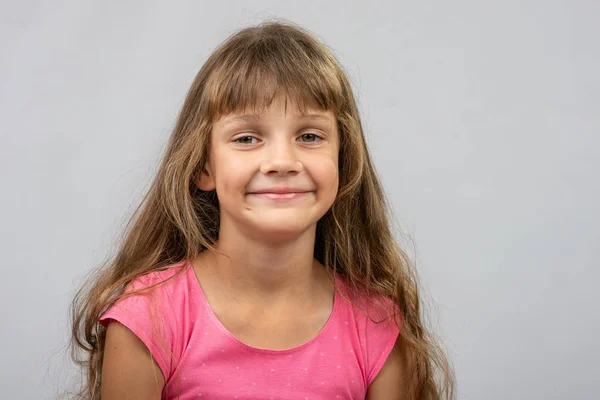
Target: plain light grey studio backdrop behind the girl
[[482, 117]]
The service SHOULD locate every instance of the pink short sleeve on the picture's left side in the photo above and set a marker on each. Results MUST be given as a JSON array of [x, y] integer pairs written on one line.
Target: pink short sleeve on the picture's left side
[[150, 317]]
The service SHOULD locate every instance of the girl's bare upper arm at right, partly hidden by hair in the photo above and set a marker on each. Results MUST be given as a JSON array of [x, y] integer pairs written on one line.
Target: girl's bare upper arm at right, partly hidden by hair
[[390, 382]]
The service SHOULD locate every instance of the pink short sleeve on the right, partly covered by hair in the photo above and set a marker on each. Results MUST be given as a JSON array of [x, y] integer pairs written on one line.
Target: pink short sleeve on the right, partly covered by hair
[[381, 332]]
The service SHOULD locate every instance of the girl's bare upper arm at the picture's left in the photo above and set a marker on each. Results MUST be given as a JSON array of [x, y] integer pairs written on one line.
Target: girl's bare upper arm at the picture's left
[[128, 369]]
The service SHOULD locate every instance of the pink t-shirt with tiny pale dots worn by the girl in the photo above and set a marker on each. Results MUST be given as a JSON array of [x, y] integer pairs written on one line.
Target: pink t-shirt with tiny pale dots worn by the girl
[[199, 358]]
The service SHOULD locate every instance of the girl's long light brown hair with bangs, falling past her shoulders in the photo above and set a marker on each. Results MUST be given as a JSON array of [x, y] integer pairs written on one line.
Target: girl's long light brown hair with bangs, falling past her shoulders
[[177, 221]]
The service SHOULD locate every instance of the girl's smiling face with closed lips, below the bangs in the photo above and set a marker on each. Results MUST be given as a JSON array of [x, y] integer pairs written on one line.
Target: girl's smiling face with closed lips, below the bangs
[[275, 174]]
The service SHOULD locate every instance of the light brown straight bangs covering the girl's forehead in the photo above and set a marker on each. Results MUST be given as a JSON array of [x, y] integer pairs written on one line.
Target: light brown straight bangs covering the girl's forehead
[[248, 73]]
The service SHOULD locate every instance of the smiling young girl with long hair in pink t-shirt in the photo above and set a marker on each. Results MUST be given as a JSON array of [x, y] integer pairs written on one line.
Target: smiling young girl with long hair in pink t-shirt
[[261, 264]]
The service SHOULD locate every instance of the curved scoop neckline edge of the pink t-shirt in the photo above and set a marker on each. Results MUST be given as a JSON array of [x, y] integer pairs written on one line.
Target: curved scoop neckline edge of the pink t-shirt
[[213, 317]]
